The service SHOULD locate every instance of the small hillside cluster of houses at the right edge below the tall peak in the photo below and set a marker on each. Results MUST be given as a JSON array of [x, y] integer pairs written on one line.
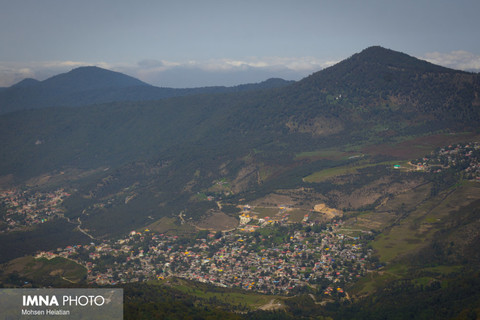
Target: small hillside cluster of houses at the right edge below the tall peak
[[463, 158]]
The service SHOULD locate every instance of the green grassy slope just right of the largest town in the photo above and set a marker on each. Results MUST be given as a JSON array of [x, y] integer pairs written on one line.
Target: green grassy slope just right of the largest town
[[406, 232]]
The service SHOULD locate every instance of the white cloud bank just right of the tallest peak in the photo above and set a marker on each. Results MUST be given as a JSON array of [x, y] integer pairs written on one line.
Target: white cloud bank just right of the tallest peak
[[460, 60]]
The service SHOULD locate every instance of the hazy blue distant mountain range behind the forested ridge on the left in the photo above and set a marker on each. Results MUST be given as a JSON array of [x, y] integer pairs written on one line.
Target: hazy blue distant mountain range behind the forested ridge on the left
[[93, 85]]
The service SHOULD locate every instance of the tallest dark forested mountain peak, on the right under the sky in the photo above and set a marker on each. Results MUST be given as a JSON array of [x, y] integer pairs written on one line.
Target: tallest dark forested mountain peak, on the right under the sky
[[378, 80]]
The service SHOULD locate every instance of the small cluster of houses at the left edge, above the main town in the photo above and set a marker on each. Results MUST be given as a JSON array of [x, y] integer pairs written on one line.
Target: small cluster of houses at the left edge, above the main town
[[23, 208]]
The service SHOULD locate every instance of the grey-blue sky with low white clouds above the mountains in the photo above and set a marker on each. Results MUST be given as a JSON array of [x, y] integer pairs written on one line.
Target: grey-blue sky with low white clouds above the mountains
[[194, 43]]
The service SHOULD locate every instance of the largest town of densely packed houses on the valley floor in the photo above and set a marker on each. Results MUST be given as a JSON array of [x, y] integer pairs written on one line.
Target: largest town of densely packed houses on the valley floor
[[276, 259]]
